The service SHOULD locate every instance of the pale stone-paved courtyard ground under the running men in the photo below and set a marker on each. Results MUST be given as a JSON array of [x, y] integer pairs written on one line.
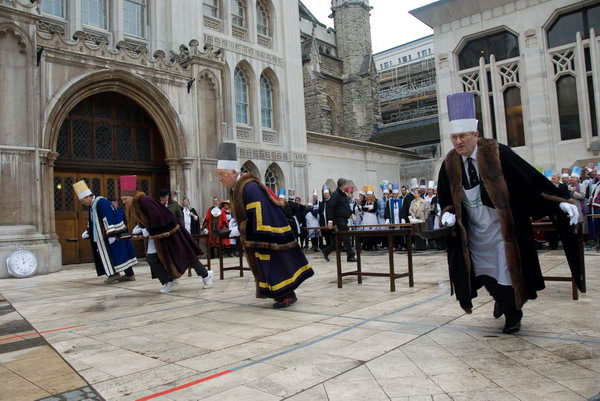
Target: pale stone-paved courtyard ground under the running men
[[360, 342]]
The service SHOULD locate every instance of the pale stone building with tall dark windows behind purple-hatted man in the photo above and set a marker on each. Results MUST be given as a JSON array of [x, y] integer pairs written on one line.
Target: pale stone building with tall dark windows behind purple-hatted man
[[534, 66]]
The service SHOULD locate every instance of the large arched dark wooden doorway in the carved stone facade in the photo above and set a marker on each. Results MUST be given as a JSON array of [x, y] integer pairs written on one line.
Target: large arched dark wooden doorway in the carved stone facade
[[104, 136]]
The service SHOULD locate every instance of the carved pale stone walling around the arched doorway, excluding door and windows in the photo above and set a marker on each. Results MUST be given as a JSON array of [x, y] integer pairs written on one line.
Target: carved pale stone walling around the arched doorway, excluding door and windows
[[51, 64]]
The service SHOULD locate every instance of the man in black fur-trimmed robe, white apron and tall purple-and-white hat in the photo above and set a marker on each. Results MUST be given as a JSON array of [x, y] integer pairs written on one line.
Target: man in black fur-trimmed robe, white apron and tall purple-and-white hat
[[492, 244]]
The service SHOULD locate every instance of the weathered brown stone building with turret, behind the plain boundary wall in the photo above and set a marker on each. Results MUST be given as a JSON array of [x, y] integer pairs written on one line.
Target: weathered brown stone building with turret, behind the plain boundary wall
[[340, 85]]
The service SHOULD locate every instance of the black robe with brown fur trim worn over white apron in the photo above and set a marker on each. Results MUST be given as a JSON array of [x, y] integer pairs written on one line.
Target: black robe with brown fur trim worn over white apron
[[519, 193]]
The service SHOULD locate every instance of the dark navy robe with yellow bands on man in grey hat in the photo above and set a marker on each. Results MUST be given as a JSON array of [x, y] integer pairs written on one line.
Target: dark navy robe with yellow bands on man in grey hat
[[276, 260]]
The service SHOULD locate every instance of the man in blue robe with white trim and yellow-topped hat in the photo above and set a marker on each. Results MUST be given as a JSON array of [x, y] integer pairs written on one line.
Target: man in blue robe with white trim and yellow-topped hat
[[111, 257]]
